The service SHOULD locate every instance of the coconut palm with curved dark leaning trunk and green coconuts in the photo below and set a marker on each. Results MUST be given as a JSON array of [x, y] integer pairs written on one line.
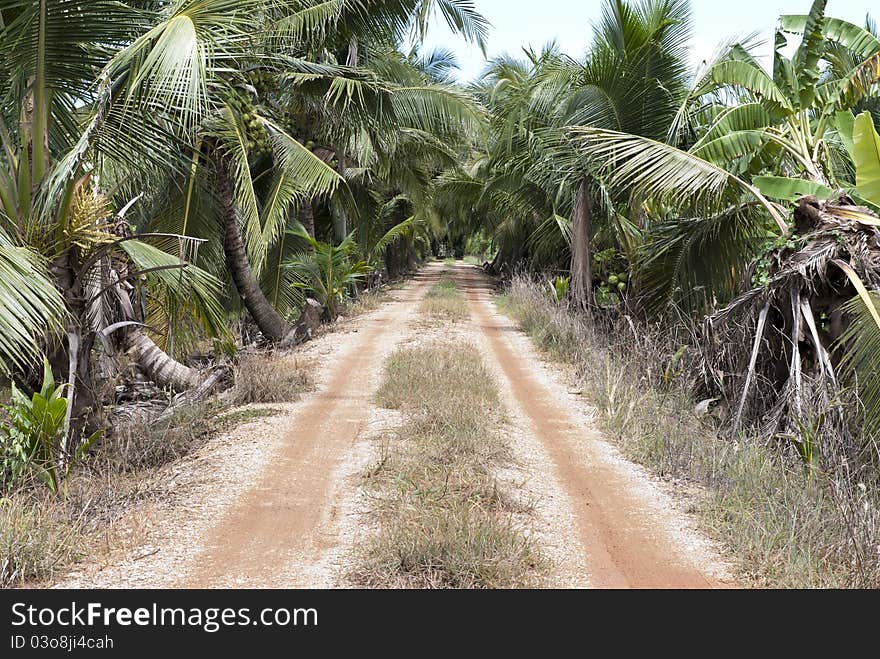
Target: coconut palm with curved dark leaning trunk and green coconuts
[[303, 95]]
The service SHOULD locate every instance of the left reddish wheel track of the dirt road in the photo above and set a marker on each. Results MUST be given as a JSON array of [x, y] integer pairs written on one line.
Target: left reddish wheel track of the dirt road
[[279, 522]]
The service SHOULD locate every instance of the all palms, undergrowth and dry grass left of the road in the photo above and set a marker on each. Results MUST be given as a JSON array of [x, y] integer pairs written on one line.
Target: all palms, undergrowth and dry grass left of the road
[[180, 206]]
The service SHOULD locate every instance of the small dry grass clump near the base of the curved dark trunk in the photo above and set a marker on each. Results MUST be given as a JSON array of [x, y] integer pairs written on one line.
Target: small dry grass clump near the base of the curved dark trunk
[[270, 378]]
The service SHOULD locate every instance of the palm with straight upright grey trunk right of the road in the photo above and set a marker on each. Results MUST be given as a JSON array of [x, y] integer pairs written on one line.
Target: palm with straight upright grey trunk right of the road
[[632, 79]]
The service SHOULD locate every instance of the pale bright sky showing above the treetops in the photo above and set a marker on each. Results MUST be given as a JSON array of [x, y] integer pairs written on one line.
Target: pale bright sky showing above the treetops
[[518, 23]]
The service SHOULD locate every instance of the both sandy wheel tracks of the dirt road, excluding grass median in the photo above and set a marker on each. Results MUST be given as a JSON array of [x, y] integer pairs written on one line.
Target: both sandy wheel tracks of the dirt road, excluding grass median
[[278, 504]]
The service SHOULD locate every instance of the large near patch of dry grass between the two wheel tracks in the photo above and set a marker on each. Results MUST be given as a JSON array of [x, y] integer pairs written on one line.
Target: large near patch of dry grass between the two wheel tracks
[[444, 521]]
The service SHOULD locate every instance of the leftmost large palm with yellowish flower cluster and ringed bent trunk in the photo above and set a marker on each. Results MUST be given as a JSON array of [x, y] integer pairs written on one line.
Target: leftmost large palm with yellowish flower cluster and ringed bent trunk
[[84, 81]]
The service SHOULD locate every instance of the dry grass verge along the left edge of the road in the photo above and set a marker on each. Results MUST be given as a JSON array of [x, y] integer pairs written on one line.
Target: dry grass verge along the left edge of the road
[[41, 534]]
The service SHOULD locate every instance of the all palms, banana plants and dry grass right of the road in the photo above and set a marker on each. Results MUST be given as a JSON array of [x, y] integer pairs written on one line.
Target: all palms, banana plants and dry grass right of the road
[[702, 245]]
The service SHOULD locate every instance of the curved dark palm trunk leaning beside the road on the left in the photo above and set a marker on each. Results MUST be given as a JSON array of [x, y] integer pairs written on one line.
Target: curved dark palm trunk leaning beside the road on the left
[[271, 324]]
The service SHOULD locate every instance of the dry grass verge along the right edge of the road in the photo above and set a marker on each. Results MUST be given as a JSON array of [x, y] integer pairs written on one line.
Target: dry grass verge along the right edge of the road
[[782, 528]]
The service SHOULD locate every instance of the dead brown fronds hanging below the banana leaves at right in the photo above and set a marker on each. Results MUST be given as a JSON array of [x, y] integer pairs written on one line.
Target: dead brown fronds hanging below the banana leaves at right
[[800, 308]]
